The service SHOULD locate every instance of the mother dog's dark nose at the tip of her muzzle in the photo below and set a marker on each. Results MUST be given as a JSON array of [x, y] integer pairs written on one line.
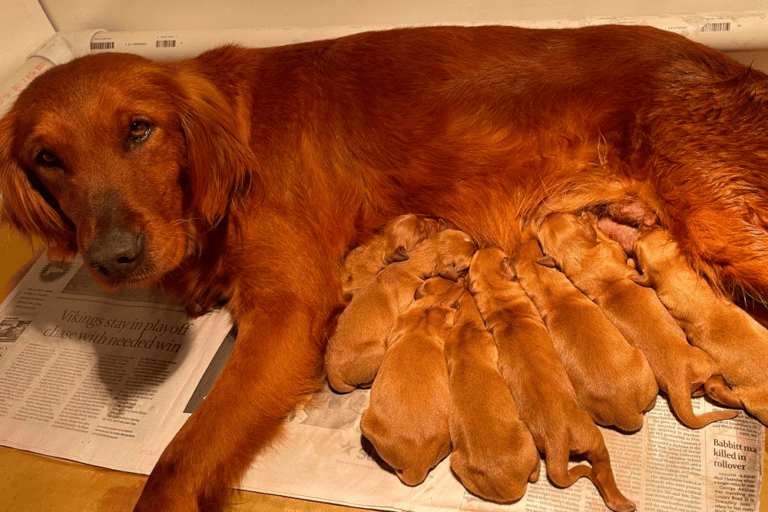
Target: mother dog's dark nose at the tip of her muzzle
[[116, 254]]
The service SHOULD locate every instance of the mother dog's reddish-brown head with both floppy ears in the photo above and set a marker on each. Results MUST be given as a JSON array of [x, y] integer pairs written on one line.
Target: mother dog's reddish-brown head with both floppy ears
[[123, 160]]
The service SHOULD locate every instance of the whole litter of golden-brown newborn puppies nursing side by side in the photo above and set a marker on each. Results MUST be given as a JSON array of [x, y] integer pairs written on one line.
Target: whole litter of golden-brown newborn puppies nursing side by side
[[494, 359]]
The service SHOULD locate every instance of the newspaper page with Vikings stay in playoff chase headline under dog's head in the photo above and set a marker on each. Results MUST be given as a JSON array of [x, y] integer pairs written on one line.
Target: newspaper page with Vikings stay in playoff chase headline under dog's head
[[97, 377]]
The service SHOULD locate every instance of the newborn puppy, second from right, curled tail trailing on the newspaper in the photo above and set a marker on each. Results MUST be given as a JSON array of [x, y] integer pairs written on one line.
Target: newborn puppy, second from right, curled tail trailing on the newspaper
[[598, 266]]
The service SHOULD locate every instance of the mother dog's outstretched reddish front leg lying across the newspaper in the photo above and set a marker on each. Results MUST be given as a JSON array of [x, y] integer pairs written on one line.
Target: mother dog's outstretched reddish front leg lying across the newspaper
[[276, 363]]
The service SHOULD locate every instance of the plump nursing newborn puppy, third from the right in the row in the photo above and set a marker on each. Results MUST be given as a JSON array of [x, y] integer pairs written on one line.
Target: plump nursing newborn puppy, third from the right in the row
[[612, 380]]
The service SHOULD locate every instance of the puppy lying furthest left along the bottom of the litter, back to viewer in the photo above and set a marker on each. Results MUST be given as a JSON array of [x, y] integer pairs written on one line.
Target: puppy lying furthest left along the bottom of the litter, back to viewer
[[407, 420]]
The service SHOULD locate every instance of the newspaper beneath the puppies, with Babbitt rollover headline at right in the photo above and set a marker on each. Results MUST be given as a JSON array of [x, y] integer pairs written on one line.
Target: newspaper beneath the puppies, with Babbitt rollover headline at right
[[664, 467]]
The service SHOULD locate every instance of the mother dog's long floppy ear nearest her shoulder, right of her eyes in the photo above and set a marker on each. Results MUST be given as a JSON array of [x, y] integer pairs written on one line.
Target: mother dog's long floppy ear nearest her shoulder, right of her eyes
[[222, 167]]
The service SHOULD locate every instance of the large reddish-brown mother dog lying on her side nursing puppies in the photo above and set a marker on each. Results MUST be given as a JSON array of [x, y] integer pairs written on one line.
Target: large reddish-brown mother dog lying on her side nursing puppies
[[245, 175]]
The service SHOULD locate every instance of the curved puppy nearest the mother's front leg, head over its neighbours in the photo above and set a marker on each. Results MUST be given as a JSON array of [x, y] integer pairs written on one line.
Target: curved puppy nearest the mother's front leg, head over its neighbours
[[355, 350]]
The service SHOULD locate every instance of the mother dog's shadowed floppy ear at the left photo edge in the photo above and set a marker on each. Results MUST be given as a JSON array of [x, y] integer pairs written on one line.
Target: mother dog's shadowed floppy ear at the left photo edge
[[27, 206]]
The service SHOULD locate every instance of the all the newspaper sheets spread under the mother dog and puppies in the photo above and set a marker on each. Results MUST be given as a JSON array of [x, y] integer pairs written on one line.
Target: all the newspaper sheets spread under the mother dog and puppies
[[108, 379]]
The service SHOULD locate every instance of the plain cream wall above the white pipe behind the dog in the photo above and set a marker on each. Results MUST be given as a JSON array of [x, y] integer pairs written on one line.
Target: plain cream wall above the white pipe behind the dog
[[195, 14]]
